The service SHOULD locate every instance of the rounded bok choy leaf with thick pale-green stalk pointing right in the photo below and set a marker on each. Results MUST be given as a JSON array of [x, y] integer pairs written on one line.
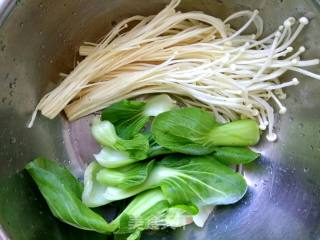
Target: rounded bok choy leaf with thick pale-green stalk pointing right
[[194, 131]]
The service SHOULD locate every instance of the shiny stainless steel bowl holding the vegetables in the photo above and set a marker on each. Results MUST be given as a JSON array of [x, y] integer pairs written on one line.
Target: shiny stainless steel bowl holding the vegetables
[[39, 39]]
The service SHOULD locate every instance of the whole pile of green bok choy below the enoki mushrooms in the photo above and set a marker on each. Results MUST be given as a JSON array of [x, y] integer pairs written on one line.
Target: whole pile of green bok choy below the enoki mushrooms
[[176, 172]]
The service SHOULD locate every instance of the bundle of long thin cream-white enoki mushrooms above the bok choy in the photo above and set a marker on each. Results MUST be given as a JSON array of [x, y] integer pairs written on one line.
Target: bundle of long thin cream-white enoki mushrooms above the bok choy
[[198, 58]]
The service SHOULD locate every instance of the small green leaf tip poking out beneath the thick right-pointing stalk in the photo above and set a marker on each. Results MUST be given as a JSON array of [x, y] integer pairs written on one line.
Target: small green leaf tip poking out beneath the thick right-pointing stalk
[[234, 155]]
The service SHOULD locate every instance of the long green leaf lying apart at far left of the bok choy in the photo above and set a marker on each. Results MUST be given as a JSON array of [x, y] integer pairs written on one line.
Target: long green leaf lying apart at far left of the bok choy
[[62, 194]]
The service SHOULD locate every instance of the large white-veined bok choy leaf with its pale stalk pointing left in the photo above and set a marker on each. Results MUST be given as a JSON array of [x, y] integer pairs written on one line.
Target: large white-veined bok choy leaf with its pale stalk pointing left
[[198, 180]]
